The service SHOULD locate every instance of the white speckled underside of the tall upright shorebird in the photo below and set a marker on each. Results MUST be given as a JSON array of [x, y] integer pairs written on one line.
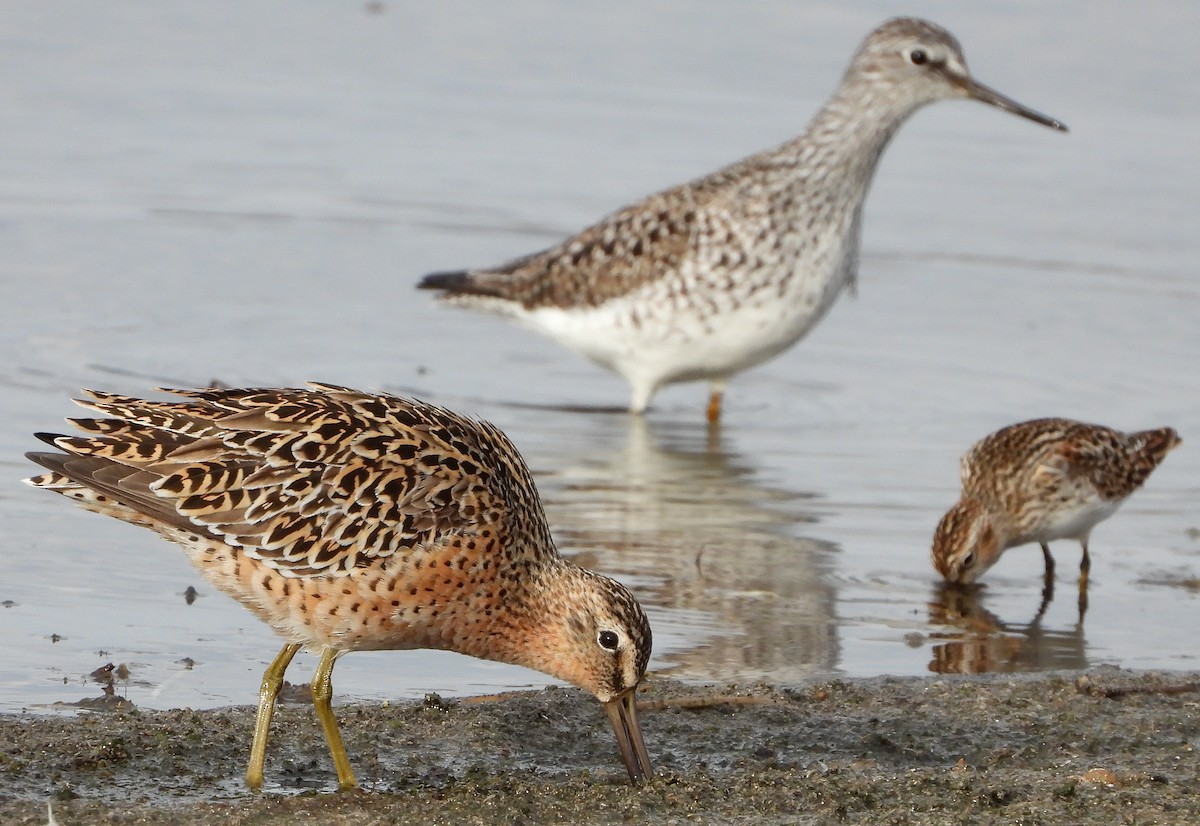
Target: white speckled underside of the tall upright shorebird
[[701, 322]]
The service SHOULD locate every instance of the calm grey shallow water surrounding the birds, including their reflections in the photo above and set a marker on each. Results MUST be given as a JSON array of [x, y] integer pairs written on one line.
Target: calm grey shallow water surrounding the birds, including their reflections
[[250, 191]]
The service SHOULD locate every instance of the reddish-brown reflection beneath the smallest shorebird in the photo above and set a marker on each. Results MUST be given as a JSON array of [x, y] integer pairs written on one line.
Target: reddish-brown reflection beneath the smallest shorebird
[[974, 641]]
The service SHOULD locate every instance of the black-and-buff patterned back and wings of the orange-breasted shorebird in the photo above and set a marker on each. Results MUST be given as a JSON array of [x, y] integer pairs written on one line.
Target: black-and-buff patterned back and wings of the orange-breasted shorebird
[[326, 480]]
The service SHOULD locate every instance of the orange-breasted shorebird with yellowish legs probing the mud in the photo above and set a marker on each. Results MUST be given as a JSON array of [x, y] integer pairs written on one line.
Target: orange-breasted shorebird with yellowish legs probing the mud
[[353, 522]]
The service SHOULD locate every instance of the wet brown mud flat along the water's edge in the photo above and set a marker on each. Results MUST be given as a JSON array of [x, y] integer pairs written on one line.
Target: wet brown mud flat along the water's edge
[[1102, 747]]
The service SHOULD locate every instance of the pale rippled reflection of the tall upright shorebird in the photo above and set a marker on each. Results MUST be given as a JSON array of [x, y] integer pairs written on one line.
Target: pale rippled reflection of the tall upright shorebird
[[713, 552]]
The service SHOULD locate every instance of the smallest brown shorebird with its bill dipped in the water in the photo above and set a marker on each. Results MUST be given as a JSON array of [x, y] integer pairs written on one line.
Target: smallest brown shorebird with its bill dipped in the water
[[1041, 481]]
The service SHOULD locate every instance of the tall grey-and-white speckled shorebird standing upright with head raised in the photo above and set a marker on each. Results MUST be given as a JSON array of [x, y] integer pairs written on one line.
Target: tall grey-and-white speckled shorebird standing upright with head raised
[[715, 277]]
